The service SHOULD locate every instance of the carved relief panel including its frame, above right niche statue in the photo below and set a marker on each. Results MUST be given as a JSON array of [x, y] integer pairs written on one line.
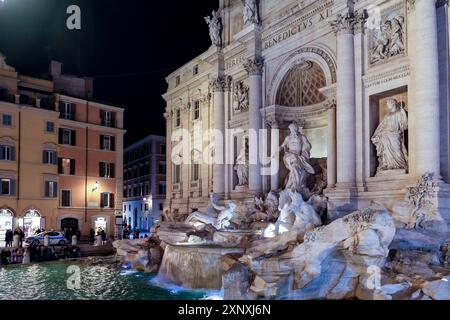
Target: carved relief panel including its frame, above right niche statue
[[387, 35]]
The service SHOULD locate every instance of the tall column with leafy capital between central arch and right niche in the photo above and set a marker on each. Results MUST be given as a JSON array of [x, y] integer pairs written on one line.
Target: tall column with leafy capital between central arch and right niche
[[345, 100]]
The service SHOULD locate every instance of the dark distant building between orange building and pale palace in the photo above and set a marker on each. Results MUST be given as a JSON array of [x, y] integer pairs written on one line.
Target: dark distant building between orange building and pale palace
[[144, 188]]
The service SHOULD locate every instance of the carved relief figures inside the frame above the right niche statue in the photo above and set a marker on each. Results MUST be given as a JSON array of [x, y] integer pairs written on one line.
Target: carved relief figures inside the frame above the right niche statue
[[390, 39]]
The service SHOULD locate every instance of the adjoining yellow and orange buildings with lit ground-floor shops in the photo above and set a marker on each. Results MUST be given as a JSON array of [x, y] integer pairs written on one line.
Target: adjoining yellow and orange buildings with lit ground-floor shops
[[60, 157]]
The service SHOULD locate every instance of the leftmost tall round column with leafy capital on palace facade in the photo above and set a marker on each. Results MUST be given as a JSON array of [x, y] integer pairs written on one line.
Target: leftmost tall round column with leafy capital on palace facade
[[219, 85]]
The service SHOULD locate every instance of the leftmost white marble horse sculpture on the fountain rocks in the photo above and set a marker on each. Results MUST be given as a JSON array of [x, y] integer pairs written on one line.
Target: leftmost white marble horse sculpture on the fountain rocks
[[218, 216]]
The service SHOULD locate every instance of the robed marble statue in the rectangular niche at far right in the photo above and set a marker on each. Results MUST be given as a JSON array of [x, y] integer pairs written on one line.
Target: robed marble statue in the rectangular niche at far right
[[389, 138]]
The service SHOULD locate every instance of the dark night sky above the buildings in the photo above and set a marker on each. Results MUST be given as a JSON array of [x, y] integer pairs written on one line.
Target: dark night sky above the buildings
[[128, 46]]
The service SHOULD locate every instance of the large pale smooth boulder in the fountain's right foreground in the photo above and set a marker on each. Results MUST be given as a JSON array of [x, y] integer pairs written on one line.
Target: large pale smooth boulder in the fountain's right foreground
[[365, 235]]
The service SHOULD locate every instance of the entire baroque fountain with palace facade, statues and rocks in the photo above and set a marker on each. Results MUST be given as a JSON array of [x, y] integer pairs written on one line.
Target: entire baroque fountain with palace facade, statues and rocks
[[351, 198]]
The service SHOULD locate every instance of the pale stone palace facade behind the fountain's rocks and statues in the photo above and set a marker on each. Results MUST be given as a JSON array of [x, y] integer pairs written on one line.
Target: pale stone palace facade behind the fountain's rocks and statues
[[337, 69]]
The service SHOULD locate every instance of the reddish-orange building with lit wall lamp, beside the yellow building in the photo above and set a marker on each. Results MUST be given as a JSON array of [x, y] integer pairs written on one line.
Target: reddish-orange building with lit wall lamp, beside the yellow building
[[90, 139]]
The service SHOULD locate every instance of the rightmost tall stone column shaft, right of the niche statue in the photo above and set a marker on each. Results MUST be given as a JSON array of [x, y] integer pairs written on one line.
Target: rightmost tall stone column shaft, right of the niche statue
[[426, 104]]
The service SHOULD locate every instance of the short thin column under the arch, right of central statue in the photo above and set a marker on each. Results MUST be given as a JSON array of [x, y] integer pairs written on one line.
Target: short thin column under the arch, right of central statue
[[331, 144]]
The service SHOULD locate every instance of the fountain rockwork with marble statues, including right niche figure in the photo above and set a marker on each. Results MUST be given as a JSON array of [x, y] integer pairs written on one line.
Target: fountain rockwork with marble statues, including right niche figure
[[284, 246]]
